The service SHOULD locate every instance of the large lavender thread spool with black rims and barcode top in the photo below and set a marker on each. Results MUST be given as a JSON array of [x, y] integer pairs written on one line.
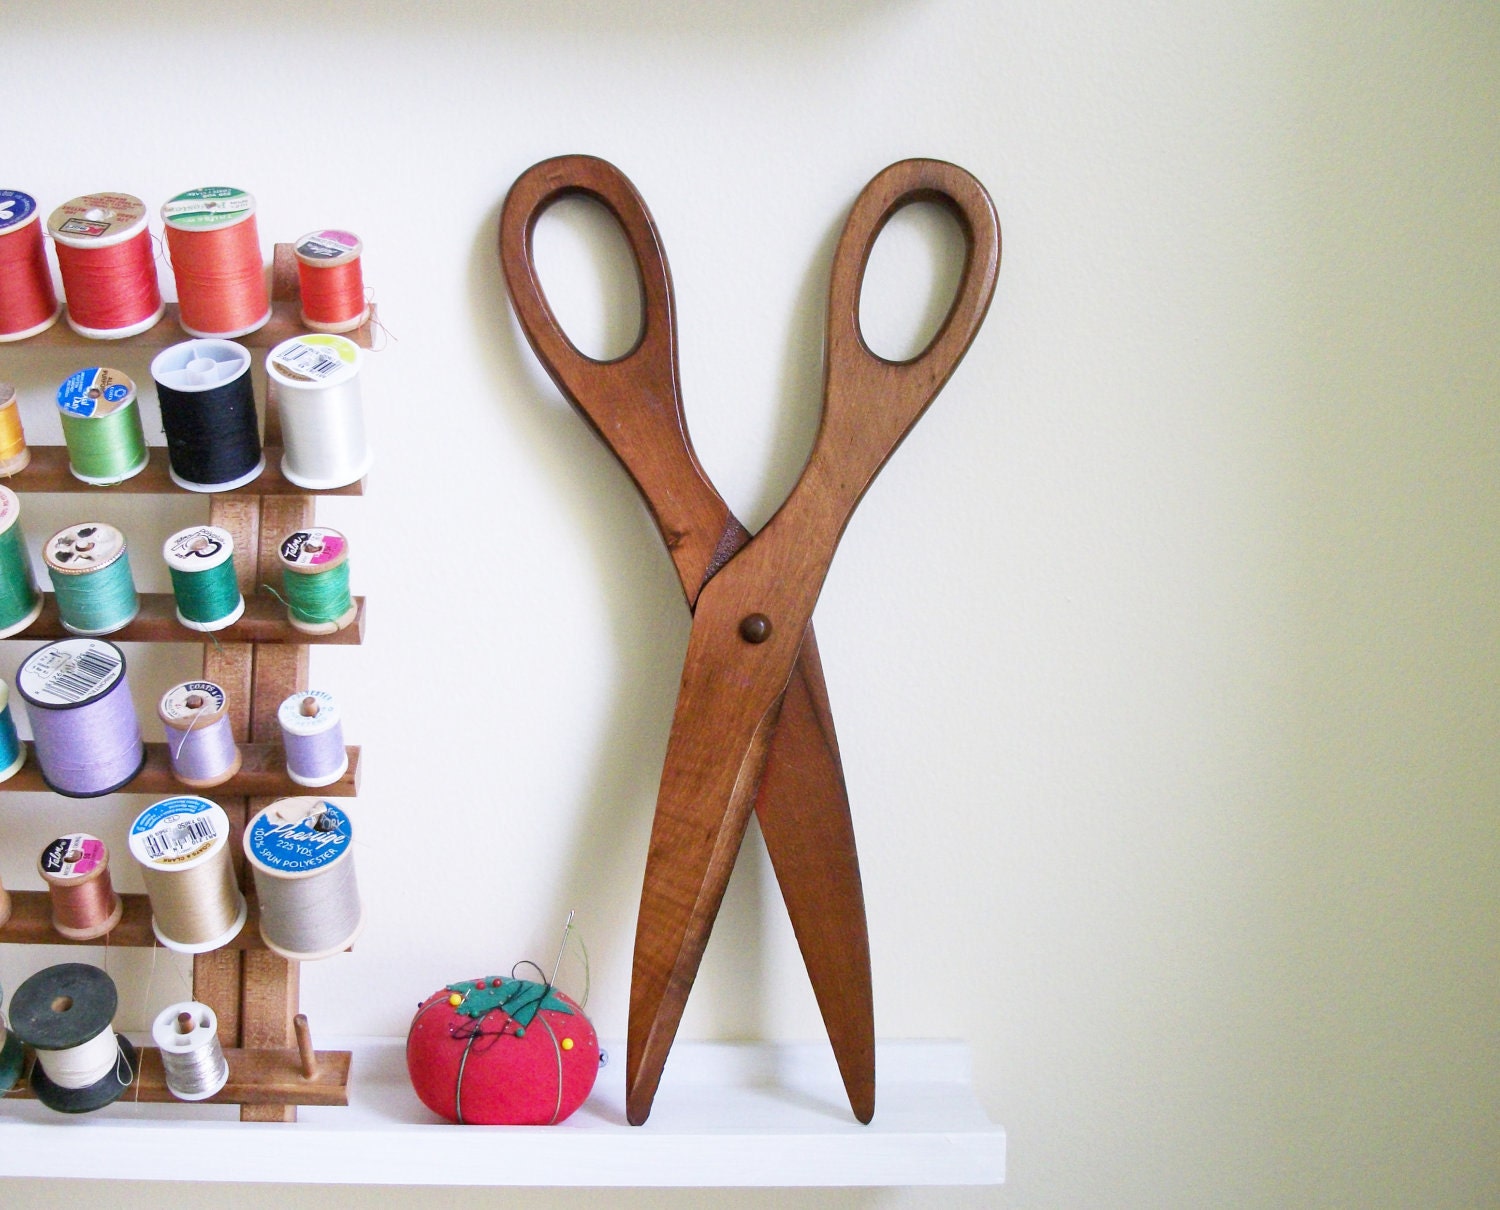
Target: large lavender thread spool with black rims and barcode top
[[83, 720]]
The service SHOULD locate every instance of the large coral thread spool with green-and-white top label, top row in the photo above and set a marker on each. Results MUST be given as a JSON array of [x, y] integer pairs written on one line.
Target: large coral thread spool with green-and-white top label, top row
[[217, 260]]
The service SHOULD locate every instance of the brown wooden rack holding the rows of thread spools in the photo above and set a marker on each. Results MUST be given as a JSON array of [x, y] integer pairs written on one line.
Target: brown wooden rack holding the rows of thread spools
[[260, 660]]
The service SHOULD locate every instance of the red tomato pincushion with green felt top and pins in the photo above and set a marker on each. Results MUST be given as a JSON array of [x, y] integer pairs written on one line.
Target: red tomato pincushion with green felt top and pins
[[502, 1053]]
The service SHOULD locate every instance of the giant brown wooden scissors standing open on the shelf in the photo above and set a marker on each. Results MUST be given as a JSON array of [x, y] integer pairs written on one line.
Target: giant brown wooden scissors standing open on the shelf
[[752, 723]]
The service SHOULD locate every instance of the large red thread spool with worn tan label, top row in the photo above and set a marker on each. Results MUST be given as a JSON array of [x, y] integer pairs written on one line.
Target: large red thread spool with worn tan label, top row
[[104, 250]]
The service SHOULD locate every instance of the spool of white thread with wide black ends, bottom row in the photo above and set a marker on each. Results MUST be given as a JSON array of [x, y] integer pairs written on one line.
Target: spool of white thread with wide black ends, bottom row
[[64, 1013]]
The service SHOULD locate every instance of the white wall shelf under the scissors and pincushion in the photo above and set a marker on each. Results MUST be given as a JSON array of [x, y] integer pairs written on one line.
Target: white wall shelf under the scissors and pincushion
[[727, 1115]]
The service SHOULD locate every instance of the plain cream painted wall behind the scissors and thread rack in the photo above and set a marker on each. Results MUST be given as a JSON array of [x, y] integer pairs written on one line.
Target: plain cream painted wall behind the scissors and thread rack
[[1165, 654]]
